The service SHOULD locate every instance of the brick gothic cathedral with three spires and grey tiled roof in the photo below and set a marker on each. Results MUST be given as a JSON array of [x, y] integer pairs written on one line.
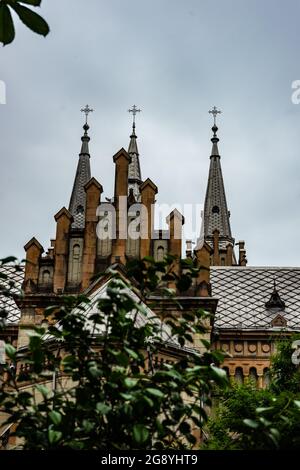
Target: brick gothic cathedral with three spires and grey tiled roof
[[251, 306]]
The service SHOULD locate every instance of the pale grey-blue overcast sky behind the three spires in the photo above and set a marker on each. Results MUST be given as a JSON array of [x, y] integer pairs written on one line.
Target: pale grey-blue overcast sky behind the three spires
[[174, 59]]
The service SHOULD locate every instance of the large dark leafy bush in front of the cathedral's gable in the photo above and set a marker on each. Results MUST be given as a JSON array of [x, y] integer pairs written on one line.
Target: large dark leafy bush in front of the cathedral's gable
[[107, 392]]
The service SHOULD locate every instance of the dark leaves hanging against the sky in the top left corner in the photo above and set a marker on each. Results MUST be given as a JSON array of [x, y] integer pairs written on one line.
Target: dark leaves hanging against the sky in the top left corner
[[31, 19]]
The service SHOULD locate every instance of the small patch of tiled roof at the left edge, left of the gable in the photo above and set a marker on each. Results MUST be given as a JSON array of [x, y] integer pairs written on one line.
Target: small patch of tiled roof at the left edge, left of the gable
[[8, 303]]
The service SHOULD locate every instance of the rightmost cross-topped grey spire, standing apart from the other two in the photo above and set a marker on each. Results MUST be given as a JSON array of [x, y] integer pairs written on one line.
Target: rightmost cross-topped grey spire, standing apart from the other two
[[216, 215]]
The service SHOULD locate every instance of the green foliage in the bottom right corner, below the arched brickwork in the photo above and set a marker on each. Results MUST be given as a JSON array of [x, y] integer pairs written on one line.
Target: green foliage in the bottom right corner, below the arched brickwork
[[247, 418]]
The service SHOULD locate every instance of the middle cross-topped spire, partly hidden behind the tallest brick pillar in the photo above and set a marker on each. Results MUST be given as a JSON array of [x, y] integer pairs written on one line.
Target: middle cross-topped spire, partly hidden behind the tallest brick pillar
[[134, 170]]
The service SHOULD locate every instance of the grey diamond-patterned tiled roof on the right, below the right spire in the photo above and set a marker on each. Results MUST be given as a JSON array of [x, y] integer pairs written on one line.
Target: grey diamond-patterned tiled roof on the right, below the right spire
[[243, 292]]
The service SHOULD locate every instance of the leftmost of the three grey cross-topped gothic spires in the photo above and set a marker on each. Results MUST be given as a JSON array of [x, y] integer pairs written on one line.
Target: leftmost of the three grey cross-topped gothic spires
[[83, 175]]
